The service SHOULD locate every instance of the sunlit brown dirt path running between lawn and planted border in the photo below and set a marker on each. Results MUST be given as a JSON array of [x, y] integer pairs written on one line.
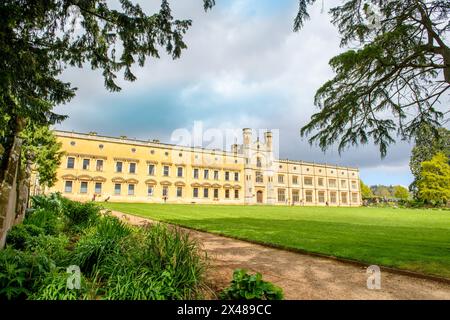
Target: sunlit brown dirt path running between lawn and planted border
[[303, 276]]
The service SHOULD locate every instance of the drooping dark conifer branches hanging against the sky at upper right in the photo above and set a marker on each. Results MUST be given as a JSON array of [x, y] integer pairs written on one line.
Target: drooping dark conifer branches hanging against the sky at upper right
[[393, 79]]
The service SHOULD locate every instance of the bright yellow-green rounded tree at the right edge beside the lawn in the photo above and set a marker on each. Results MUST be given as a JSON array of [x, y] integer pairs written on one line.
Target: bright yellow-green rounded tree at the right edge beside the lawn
[[434, 183]]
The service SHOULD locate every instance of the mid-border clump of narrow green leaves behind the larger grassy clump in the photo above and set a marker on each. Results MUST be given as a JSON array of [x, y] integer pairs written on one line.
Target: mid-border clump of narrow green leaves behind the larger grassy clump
[[99, 242]]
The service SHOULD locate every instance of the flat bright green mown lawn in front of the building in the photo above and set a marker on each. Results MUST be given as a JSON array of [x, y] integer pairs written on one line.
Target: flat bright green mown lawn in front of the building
[[416, 240]]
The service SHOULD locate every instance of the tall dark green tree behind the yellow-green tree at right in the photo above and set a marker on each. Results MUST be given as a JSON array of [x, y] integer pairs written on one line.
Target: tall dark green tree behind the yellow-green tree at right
[[428, 143]]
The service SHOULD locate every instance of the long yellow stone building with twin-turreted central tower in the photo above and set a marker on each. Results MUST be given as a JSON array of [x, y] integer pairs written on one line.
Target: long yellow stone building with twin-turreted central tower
[[125, 170]]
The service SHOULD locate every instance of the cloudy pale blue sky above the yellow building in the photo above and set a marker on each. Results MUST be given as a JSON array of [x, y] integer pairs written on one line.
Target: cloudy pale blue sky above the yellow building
[[244, 67]]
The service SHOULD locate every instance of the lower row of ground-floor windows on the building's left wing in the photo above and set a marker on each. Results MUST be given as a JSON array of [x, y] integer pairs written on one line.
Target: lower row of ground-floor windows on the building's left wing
[[68, 188]]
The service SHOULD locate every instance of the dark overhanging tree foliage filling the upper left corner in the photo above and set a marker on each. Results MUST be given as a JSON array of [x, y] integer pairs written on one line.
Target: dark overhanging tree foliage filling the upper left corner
[[39, 39]]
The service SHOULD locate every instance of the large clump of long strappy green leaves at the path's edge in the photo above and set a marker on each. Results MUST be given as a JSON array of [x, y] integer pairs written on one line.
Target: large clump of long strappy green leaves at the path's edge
[[158, 263]]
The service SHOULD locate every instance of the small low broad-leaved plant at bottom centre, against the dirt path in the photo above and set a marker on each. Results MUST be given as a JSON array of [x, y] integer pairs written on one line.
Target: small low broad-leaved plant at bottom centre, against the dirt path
[[250, 287]]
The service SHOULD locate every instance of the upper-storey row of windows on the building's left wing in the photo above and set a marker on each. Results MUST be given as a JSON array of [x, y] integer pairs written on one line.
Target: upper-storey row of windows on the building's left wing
[[119, 168]]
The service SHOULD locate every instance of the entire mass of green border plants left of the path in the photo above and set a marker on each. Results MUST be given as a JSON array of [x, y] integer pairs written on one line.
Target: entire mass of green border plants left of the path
[[117, 261]]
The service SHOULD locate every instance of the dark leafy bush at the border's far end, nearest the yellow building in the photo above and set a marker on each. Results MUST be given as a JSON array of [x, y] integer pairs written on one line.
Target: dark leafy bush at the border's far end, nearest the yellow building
[[80, 215]]
